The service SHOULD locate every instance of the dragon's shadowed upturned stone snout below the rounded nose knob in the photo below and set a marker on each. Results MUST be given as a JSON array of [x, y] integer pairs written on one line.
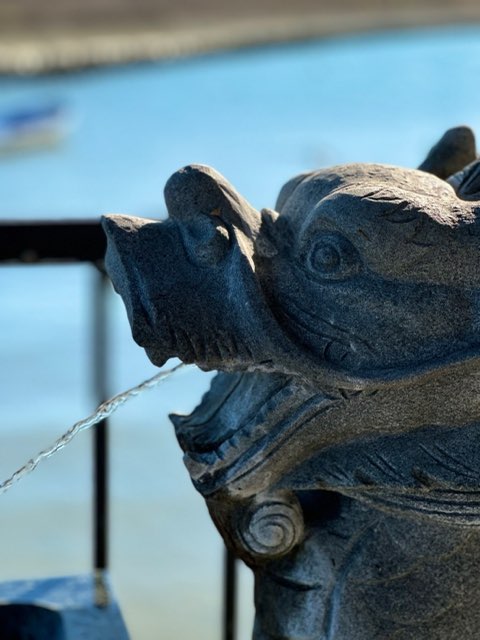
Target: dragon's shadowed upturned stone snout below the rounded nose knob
[[189, 290]]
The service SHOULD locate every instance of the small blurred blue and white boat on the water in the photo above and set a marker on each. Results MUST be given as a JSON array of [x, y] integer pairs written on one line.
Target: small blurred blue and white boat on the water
[[32, 127]]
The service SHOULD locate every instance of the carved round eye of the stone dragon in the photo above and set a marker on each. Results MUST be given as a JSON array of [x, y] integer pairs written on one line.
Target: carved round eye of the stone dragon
[[332, 257]]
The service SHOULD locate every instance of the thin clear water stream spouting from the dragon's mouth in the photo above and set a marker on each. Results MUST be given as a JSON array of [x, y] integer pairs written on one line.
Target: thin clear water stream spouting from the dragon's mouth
[[105, 410]]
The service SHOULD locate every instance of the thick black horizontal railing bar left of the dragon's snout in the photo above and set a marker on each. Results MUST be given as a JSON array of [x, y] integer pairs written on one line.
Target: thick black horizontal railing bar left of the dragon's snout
[[52, 241]]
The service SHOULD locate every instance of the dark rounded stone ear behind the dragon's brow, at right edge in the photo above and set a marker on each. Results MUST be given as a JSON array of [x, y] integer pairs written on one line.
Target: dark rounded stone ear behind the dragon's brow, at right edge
[[455, 149]]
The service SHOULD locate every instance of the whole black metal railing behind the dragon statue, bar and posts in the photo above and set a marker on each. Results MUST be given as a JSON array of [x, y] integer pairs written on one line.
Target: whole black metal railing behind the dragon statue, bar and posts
[[63, 242]]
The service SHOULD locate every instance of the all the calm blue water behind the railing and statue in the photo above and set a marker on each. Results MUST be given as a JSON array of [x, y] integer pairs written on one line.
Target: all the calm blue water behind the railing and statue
[[258, 117]]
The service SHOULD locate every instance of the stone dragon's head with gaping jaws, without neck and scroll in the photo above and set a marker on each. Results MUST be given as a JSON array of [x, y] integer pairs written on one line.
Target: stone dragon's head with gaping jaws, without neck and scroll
[[359, 289]]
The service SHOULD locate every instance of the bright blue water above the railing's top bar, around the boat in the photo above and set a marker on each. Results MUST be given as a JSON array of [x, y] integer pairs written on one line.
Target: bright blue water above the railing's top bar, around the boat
[[257, 116]]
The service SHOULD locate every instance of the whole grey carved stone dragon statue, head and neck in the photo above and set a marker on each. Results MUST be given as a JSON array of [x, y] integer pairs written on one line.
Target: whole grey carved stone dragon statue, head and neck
[[338, 448]]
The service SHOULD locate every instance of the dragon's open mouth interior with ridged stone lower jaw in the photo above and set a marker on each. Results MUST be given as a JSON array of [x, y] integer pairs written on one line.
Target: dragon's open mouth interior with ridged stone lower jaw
[[242, 415]]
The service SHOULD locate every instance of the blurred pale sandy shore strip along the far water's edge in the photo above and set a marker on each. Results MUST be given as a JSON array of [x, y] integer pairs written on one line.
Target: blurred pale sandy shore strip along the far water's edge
[[30, 52]]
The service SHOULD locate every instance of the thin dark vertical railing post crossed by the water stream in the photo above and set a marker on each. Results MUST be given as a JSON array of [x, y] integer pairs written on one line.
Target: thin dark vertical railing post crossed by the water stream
[[100, 434]]
